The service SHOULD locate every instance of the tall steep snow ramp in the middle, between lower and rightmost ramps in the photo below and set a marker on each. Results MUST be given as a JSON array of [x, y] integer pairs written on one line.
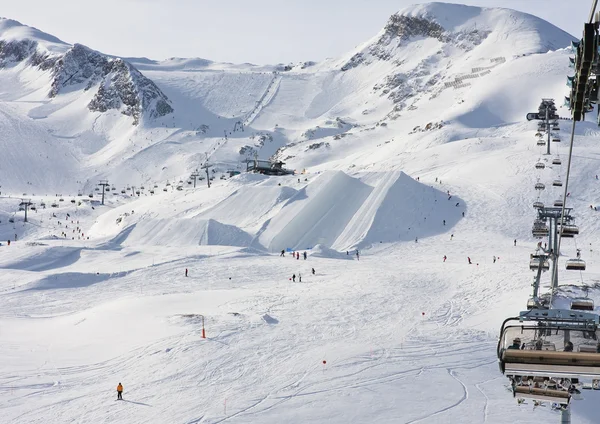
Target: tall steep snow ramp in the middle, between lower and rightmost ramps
[[317, 214]]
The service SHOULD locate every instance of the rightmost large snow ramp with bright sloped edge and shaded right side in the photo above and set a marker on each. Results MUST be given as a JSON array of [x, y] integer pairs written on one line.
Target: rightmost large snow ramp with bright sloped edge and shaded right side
[[400, 209]]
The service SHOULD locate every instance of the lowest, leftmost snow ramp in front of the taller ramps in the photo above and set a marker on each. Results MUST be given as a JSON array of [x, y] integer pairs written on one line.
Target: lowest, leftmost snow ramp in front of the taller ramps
[[183, 232]]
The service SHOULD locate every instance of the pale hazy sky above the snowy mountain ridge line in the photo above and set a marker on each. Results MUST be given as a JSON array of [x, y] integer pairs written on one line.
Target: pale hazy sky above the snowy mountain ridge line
[[257, 31]]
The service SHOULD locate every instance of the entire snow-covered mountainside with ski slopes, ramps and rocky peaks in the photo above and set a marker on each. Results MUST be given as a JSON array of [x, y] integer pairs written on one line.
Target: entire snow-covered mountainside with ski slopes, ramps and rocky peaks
[[412, 147]]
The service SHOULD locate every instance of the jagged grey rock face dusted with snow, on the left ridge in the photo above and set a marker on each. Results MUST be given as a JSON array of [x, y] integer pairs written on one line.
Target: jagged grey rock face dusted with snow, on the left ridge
[[119, 84]]
